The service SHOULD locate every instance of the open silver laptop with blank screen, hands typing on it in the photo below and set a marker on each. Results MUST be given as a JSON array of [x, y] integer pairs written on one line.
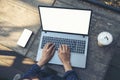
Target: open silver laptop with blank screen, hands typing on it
[[65, 26]]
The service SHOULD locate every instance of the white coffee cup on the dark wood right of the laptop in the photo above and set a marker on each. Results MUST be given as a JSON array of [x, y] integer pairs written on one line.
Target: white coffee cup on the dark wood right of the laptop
[[104, 39]]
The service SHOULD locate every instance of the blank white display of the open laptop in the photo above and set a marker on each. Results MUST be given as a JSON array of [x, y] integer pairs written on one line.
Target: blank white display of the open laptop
[[65, 20]]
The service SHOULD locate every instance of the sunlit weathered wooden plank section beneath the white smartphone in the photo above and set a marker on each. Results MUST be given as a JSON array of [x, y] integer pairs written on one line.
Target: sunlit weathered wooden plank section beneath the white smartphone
[[15, 15]]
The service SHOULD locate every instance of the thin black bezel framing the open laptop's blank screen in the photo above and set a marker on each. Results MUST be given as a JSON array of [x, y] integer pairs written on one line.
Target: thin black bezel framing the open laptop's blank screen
[[64, 8]]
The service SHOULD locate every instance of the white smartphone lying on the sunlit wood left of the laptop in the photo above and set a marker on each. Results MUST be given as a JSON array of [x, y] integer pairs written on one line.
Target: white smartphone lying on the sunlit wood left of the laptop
[[24, 37]]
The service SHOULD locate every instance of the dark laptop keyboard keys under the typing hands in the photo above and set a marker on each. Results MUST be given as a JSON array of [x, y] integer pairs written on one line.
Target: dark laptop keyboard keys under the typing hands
[[77, 46]]
